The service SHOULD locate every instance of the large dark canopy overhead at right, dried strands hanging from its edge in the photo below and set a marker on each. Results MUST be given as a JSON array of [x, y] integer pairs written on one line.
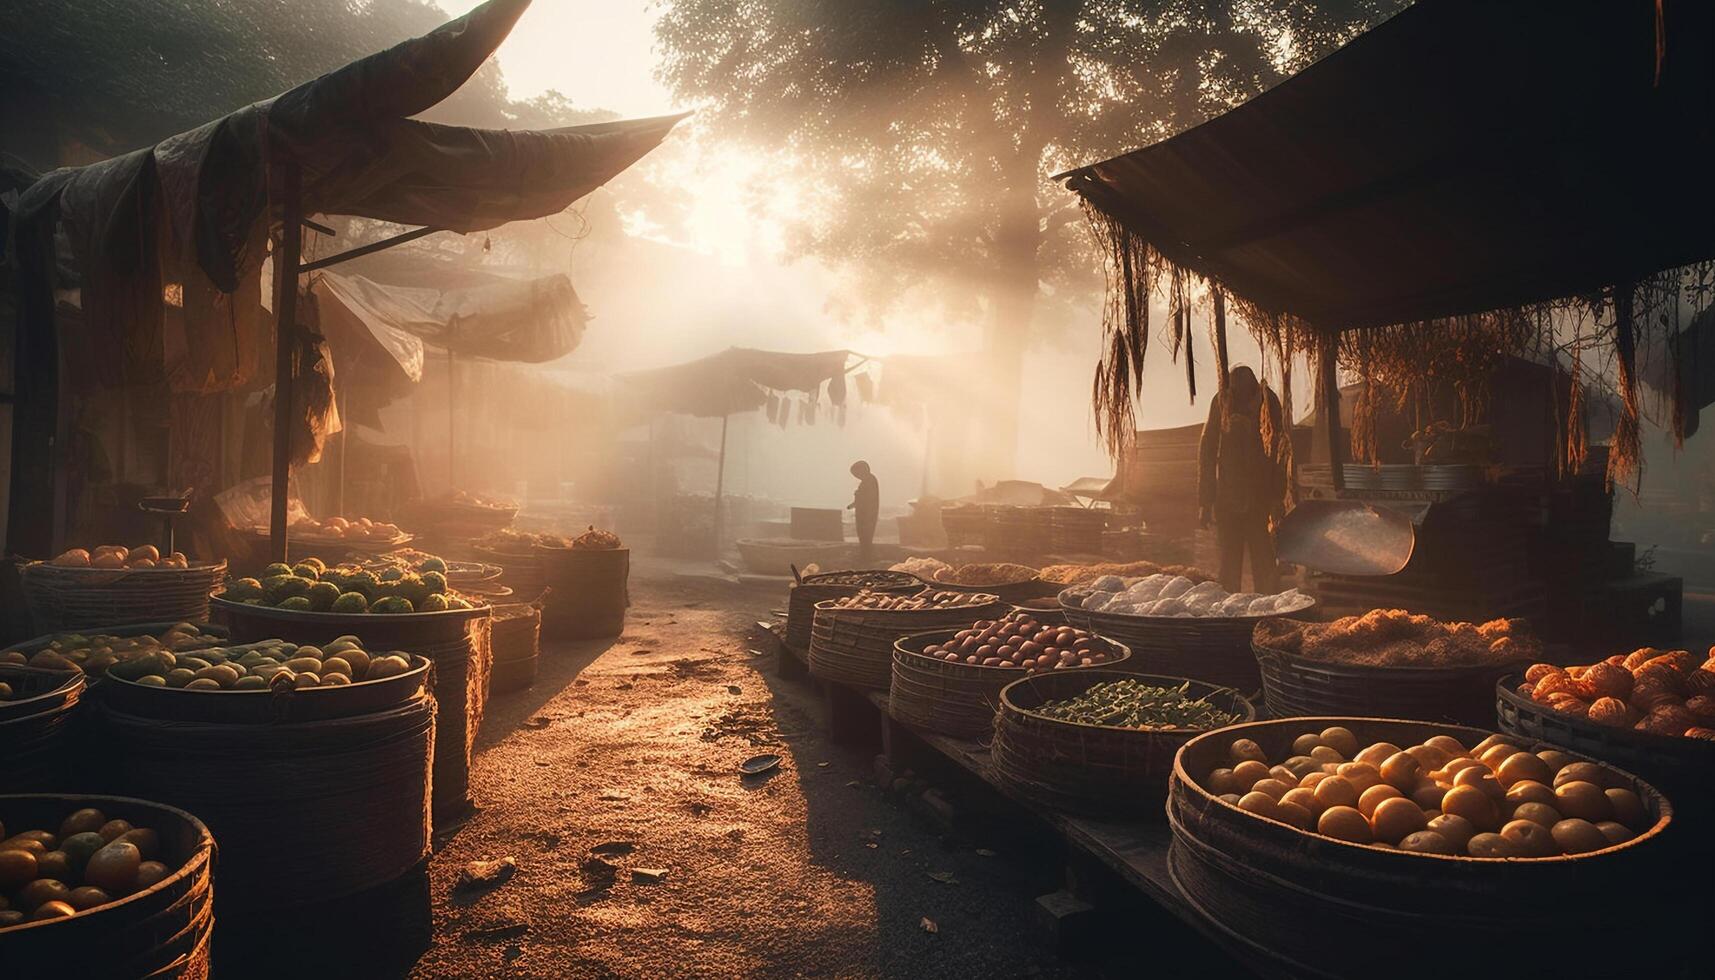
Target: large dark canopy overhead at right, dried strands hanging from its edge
[[1462, 157]]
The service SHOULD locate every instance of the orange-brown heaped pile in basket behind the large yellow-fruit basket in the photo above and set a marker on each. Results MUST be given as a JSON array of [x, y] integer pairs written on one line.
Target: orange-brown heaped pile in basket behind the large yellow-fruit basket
[[1399, 639]]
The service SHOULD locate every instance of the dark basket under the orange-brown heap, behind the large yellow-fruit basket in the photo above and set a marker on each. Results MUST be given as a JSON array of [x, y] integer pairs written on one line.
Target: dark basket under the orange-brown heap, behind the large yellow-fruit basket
[[1296, 686]]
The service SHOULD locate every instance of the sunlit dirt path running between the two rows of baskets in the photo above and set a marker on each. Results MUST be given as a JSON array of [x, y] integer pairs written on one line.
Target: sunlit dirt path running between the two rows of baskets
[[623, 758]]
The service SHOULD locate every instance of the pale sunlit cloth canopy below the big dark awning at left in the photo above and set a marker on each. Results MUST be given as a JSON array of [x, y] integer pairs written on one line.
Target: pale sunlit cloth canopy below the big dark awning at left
[[531, 322]]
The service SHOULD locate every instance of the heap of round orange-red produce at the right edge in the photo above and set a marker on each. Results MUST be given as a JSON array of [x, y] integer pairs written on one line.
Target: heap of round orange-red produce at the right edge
[[1663, 693]]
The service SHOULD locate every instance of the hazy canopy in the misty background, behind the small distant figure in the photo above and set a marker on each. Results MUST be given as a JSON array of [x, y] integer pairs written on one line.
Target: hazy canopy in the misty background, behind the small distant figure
[[737, 380]]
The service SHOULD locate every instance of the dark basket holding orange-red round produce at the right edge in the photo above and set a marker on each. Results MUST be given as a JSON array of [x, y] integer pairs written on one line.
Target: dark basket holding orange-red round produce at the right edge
[[1683, 768]]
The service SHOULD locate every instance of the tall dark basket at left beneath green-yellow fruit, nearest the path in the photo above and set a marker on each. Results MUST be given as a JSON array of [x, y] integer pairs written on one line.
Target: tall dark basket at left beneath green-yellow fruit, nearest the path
[[304, 811]]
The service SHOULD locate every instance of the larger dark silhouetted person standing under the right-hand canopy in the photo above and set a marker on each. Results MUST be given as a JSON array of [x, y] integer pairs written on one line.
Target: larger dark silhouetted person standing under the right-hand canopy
[[1239, 483]]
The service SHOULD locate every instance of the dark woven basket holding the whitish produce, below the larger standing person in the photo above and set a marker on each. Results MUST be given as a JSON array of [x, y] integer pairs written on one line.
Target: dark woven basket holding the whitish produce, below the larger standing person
[[1215, 650]]
